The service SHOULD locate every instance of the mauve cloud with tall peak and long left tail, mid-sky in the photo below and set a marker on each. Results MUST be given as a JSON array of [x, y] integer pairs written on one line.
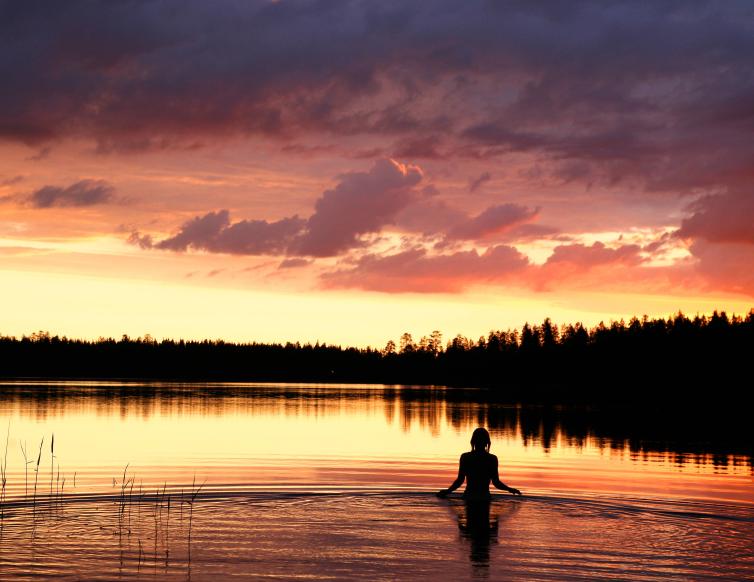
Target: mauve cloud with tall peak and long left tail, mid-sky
[[362, 203]]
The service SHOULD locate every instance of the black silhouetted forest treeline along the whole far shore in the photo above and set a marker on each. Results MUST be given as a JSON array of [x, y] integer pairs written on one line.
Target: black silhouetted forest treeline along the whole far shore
[[679, 357]]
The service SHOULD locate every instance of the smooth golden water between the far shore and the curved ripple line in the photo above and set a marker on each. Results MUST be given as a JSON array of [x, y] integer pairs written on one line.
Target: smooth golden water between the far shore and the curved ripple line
[[356, 437]]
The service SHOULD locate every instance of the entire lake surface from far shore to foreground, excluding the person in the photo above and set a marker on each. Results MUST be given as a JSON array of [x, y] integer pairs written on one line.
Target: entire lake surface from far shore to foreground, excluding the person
[[180, 481]]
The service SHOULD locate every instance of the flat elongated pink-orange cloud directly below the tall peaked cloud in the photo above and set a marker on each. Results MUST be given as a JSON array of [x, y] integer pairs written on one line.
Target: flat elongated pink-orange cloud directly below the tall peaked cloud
[[416, 271]]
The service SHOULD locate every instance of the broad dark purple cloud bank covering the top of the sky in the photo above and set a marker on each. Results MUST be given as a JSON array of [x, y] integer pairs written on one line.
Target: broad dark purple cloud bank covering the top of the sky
[[489, 78]]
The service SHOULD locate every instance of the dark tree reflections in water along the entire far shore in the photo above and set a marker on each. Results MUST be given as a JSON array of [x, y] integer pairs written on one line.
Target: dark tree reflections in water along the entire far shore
[[682, 436]]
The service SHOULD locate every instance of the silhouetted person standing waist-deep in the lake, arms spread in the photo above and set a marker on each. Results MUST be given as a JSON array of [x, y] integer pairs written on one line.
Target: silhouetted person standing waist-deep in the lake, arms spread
[[478, 467]]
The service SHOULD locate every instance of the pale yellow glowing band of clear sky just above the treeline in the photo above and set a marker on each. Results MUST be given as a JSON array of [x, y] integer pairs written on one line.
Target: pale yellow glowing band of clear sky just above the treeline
[[89, 307]]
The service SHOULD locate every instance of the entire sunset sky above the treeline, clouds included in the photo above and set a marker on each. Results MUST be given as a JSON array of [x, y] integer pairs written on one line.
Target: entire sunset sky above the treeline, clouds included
[[344, 171]]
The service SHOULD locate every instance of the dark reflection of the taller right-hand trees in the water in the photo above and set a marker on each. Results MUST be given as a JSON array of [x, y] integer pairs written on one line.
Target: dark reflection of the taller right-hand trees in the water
[[681, 436]]
